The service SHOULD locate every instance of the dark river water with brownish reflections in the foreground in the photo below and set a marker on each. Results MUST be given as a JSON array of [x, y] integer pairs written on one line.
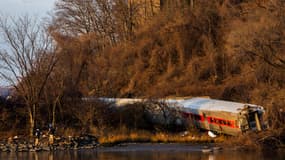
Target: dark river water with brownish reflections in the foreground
[[144, 152]]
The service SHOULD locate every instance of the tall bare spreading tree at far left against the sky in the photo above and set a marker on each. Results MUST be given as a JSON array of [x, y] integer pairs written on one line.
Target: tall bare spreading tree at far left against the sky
[[27, 60]]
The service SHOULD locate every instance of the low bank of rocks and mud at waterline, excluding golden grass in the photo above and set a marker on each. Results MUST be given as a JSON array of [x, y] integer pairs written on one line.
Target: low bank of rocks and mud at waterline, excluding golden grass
[[86, 142]]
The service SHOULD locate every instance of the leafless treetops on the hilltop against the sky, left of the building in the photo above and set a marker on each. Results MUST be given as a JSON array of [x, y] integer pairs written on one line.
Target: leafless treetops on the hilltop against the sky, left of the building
[[110, 20]]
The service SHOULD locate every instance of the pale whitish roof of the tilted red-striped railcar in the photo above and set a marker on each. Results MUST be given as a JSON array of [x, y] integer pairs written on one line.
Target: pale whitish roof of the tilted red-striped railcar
[[213, 105]]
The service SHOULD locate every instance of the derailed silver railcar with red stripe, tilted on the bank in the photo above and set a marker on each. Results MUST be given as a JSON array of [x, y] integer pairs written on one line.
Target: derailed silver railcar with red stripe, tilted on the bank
[[220, 116]]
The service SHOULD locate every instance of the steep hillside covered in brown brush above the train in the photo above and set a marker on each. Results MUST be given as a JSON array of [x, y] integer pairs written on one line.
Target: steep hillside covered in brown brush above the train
[[217, 50]]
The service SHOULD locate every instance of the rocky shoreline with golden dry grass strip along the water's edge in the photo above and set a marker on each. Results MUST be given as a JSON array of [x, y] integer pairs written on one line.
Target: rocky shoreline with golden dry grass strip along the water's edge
[[119, 143]]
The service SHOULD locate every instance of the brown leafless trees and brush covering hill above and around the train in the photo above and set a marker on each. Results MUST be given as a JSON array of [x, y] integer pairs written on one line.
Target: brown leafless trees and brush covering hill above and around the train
[[226, 49]]
